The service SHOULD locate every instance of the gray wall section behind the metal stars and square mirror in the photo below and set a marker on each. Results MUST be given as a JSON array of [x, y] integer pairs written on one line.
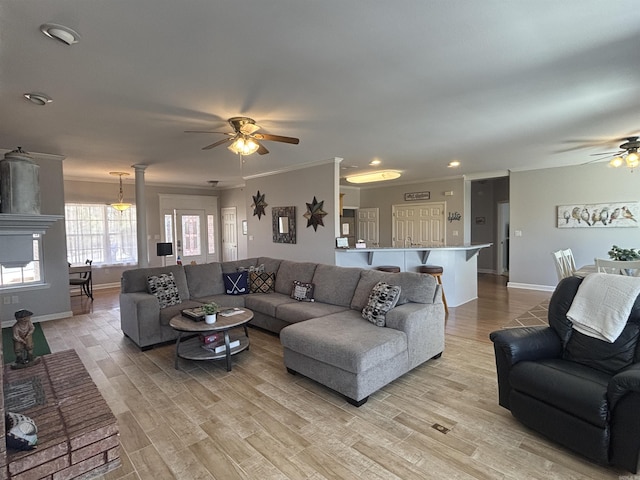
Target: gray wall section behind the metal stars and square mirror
[[296, 188]]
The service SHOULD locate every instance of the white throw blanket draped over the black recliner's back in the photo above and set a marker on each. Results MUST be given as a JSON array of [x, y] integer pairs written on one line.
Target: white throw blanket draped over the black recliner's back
[[602, 305]]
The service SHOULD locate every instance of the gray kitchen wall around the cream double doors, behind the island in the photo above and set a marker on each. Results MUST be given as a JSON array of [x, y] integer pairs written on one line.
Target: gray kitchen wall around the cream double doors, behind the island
[[384, 197]]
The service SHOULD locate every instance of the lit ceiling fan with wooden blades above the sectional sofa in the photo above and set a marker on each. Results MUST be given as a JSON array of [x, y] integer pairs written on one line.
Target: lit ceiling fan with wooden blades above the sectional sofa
[[244, 138]]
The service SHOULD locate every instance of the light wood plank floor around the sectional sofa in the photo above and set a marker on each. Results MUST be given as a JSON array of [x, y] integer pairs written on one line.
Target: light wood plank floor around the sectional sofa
[[258, 422]]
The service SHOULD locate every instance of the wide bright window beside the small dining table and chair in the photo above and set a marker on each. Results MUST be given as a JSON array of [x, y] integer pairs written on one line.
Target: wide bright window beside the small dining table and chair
[[100, 233]]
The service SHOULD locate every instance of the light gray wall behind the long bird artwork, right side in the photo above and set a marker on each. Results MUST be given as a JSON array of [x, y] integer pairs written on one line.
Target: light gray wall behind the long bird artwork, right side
[[534, 197]]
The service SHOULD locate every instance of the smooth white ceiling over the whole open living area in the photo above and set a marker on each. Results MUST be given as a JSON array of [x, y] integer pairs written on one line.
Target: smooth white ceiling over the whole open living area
[[496, 85]]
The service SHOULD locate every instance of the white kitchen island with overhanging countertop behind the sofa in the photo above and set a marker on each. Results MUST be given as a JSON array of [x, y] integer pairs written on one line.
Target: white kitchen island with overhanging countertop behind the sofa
[[460, 277]]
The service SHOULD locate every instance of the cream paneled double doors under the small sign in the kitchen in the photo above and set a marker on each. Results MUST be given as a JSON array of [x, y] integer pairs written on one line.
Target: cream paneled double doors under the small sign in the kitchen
[[418, 224]]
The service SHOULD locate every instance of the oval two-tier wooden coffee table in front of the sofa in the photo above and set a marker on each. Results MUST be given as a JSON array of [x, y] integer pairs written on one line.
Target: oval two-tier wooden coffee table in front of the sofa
[[191, 349]]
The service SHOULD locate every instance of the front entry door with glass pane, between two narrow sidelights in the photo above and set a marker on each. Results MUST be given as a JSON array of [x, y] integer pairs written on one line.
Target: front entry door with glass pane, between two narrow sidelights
[[190, 236]]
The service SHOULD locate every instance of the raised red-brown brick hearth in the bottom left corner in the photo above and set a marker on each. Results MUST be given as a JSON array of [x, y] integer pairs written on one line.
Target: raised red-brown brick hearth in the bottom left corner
[[77, 432]]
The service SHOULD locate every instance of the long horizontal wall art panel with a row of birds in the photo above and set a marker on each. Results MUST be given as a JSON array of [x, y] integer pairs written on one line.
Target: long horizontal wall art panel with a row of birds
[[598, 215]]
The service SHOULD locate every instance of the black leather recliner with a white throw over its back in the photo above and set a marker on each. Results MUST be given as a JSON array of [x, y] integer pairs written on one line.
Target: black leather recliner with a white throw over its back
[[579, 391]]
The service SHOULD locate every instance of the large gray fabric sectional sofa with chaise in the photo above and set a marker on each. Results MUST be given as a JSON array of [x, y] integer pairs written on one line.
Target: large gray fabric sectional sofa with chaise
[[326, 340]]
